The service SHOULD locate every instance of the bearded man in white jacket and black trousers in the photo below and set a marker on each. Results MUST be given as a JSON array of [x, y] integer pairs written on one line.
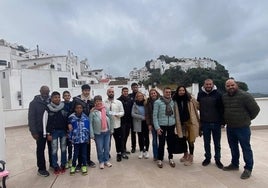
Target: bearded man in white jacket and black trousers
[[116, 110]]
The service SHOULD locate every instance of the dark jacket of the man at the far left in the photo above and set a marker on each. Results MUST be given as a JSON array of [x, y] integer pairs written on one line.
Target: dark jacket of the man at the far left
[[36, 110]]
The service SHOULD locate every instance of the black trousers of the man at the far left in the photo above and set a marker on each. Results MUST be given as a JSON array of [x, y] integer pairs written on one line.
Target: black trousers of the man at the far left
[[40, 152]]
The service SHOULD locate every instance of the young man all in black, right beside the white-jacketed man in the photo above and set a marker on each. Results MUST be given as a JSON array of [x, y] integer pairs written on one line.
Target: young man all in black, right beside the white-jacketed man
[[126, 120]]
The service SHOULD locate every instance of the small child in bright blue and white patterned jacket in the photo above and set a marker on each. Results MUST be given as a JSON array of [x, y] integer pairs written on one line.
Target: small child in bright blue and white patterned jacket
[[79, 136]]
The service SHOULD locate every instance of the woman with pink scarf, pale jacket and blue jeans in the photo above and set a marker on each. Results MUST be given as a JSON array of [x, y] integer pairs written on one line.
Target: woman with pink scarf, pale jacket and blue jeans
[[101, 131]]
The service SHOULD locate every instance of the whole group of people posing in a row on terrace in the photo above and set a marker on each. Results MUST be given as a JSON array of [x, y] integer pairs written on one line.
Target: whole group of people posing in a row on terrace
[[74, 123]]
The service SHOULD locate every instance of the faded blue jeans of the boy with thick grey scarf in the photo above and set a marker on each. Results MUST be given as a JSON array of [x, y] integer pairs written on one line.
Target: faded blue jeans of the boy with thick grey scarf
[[58, 135]]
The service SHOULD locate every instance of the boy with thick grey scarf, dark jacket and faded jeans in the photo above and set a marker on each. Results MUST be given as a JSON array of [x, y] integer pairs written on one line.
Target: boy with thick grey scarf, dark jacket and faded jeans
[[56, 130]]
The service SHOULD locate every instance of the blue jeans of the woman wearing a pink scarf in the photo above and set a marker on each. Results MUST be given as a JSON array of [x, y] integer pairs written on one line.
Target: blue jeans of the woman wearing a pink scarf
[[102, 141]]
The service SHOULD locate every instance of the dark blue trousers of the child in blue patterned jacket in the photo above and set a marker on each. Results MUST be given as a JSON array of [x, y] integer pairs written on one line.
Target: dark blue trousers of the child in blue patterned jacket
[[81, 149]]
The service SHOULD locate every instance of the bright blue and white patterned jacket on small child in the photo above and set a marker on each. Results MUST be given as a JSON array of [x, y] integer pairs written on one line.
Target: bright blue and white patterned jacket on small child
[[81, 128]]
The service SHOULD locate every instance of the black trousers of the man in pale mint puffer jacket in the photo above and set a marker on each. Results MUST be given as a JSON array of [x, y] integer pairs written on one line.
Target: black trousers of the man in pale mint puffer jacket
[[167, 134]]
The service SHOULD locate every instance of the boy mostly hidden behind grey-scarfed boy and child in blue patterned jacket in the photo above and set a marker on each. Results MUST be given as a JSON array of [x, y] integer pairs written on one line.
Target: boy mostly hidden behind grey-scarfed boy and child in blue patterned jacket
[[68, 106]]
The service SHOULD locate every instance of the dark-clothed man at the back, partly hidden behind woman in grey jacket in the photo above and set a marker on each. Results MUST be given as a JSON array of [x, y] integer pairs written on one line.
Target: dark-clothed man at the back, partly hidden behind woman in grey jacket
[[135, 89]]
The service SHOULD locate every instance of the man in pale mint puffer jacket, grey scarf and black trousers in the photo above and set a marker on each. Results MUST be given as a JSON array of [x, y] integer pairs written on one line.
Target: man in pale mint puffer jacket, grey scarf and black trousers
[[164, 123]]
